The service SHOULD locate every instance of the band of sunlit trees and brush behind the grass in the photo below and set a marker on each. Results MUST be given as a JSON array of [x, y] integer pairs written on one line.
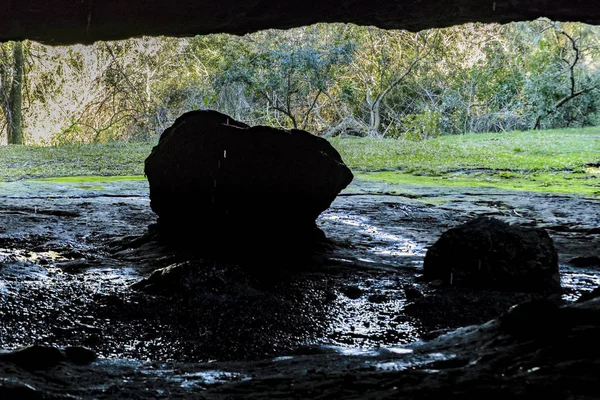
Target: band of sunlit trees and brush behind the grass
[[330, 79]]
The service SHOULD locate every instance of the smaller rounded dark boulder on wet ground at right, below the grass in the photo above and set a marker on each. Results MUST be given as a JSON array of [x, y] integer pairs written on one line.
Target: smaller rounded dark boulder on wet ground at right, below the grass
[[489, 253]]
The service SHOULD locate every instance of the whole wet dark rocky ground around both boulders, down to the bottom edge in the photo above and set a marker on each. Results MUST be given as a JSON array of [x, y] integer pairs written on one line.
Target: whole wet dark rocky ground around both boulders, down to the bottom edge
[[350, 320]]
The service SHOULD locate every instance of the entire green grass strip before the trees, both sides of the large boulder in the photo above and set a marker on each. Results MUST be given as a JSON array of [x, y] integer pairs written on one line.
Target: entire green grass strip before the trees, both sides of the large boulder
[[559, 161]]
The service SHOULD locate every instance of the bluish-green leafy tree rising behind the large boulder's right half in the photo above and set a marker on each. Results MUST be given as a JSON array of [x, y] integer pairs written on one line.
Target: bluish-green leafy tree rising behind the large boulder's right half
[[287, 73]]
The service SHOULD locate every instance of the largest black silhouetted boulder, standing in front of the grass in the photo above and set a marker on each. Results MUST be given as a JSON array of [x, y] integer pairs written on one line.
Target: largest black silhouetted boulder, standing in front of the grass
[[213, 177]]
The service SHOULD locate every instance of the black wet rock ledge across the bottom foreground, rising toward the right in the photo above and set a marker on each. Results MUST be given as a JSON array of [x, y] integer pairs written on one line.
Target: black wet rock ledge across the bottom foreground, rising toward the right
[[499, 359]]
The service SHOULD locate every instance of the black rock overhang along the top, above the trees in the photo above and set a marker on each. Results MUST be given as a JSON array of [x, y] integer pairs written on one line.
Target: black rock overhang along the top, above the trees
[[85, 21]]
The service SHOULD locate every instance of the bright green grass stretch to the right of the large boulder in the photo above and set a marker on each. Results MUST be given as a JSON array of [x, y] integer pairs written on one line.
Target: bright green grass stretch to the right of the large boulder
[[557, 161]]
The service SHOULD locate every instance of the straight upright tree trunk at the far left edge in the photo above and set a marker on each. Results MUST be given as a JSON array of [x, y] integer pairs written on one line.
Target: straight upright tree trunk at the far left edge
[[15, 132]]
